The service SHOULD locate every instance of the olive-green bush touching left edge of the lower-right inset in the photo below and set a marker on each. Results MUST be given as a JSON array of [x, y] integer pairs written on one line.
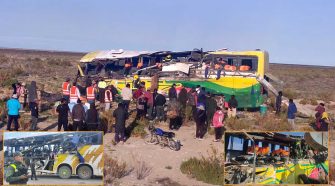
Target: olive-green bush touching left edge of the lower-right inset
[[209, 170]]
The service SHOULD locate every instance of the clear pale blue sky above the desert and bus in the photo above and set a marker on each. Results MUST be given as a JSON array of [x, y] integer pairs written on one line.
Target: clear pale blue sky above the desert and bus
[[298, 32]]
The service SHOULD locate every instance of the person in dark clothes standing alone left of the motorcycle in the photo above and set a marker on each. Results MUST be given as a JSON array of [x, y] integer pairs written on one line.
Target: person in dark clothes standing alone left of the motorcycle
[[121, 116]]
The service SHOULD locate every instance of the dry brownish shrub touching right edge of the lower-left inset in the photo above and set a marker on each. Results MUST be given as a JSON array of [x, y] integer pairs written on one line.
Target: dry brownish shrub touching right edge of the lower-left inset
[[114, 170]]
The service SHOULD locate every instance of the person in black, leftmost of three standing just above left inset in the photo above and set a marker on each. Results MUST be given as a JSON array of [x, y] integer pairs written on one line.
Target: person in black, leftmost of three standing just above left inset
[[63, 111]]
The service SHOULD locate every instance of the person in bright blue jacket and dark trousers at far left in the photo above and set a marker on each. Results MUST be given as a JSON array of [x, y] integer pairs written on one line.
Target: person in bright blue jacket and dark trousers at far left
[[13, 107]]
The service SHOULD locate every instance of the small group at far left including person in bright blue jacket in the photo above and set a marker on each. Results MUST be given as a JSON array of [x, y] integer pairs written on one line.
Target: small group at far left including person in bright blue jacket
[[22, 98]]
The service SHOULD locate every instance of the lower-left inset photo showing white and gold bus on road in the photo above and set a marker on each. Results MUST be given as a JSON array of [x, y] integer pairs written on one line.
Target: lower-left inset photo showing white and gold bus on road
[[53, 158]]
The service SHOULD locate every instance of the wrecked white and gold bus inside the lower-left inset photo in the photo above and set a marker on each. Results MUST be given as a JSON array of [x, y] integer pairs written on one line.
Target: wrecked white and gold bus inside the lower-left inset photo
[[64, 154]]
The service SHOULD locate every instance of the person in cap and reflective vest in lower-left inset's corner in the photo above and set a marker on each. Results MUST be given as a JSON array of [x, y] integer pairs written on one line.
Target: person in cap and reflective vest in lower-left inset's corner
[[17, 173]]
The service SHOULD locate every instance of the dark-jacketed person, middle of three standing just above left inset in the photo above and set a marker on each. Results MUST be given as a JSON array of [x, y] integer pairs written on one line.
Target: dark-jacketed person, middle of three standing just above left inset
[[78, 116]]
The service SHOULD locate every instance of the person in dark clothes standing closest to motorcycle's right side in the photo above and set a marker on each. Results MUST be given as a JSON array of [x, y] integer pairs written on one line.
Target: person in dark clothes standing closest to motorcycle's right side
[[200, 120]]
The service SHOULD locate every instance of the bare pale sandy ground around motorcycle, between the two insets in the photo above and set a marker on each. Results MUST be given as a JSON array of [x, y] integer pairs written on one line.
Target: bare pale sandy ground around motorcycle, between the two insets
[[159, 158]]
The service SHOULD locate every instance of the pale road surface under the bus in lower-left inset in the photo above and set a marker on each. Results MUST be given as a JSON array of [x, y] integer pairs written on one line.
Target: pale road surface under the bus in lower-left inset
[[47, 180]]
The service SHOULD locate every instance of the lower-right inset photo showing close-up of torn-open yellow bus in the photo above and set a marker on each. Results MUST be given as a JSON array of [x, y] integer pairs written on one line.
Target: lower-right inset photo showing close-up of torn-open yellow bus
[[276, 158]]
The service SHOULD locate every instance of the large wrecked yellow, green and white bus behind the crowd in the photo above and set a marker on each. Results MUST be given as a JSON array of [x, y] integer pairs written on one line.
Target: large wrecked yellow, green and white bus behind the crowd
[[222, 72]]
